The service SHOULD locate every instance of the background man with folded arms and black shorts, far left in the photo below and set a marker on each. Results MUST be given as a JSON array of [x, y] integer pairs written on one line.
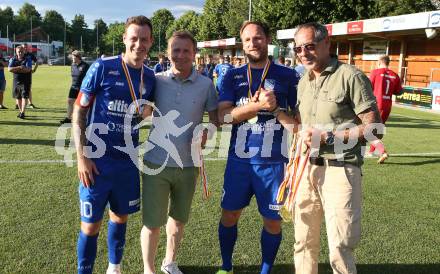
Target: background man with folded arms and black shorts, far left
[[21, 68]]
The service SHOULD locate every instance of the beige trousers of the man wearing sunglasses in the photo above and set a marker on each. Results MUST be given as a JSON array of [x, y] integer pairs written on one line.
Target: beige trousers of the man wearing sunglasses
[[334, 193]]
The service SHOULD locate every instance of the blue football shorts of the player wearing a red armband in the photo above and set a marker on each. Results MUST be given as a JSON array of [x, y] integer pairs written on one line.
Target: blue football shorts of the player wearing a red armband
[[117, 185]]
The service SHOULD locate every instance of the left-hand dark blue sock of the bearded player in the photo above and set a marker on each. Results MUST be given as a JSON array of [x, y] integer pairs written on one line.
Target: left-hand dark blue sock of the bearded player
[[227, 237]]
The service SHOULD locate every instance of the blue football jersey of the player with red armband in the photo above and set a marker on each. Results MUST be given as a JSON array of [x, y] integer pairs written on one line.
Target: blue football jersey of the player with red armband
[[107, 83]]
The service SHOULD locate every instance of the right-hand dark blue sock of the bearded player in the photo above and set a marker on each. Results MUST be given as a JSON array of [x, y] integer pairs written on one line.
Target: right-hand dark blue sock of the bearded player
[[269, 249]]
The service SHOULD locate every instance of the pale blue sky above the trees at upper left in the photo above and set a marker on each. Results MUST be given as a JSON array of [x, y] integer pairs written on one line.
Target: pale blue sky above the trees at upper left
[[109, 10]]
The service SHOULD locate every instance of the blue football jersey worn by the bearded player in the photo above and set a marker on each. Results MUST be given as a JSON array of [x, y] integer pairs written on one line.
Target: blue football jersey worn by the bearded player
[[262, 142]]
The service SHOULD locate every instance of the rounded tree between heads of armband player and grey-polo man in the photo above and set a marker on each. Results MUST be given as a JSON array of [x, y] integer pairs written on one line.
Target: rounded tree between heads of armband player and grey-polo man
[[161, 20]]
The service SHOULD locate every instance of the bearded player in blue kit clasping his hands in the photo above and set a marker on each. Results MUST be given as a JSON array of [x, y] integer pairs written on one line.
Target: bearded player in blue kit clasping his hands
[[255, 98]]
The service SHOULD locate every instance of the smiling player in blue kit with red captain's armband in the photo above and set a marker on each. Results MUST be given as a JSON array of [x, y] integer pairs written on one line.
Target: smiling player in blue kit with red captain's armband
[[109, 93]]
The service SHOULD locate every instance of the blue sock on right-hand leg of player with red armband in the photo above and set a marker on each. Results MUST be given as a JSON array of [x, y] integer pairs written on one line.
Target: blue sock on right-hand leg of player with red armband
[[116, 241]]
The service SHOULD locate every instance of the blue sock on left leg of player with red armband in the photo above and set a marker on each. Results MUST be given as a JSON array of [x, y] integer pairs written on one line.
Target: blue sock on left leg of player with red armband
[[86, 251]]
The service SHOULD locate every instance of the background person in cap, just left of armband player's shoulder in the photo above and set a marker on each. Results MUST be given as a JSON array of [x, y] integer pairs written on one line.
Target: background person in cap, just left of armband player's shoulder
[[78, 71]]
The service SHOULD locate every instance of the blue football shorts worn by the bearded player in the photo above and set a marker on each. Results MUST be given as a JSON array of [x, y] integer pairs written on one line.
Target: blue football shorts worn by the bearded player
[[243, 180]]
